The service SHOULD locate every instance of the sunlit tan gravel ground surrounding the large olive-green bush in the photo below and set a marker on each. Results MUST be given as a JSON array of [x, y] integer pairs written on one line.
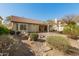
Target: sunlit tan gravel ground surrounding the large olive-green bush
[[41, 49]]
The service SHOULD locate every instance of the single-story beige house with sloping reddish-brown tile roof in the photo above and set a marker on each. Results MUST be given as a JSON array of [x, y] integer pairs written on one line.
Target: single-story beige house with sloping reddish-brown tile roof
[[27, 25]]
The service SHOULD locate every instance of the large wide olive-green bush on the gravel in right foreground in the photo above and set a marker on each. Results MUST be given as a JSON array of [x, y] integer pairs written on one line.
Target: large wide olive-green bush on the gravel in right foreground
[[58, 42]]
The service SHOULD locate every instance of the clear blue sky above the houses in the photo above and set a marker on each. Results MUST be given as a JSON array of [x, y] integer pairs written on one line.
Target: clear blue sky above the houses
[[39, 11]]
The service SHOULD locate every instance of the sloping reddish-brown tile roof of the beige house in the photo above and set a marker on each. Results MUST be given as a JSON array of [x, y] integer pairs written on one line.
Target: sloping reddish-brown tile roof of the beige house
[[26, 20]]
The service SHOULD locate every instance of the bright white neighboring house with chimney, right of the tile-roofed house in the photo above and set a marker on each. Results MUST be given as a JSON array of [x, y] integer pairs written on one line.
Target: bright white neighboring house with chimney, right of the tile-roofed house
[[56, 25]]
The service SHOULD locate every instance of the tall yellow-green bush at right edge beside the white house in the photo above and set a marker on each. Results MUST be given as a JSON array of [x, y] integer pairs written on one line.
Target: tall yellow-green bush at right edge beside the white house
[[72, 31]]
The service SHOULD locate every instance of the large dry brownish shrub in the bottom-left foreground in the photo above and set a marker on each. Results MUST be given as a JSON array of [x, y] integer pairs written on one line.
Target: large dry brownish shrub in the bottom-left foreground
[[8, 45]]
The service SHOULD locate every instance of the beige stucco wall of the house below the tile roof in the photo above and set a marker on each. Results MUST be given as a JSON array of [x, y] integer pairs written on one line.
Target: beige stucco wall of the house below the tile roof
[[29, 27]]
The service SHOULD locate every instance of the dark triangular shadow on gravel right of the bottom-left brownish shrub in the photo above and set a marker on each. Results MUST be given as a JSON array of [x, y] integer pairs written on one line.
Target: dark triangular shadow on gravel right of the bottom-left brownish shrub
[[24, 50]]
